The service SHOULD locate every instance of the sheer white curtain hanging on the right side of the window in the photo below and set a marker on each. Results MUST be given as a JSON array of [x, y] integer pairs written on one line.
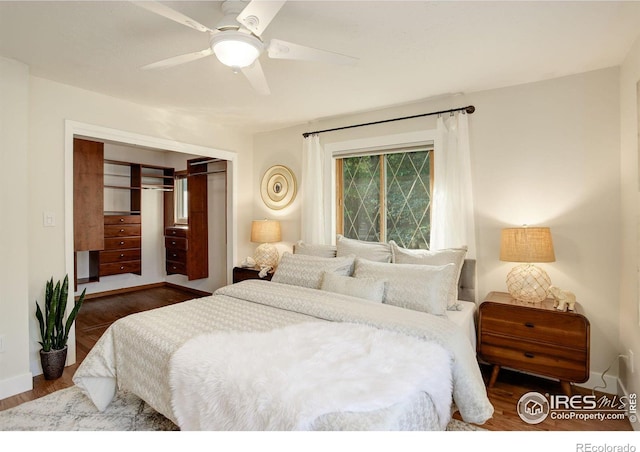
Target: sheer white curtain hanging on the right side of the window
[[452, 220]]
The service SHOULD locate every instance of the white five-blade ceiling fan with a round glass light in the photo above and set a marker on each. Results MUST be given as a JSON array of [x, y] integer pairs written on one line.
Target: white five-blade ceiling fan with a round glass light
[[236, 40]]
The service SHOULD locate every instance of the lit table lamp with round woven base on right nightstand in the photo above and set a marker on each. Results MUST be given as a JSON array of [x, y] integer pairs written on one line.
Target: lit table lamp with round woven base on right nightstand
[[527, 282]]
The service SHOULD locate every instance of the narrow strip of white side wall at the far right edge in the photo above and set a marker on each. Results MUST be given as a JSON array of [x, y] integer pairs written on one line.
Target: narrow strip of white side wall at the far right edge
[[629, 277]]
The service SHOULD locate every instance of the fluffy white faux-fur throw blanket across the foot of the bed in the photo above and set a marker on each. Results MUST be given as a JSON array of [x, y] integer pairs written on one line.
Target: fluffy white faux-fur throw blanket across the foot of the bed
[[286, 378]]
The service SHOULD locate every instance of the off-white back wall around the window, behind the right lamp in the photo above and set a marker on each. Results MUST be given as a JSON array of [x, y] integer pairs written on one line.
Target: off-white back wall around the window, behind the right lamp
[[543, 153]]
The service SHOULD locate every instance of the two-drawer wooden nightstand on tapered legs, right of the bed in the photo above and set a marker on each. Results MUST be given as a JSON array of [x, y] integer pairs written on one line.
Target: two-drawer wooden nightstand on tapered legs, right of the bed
[[535, 338]]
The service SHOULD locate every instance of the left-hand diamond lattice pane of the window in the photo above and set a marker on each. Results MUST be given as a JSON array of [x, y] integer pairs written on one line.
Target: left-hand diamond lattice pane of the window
[[361, 182]]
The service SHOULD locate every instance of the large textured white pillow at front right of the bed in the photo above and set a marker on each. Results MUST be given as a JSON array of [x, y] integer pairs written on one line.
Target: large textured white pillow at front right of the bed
[[425, 288]]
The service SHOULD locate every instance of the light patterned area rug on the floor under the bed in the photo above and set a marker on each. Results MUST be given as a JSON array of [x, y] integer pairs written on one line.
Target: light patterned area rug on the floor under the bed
[[70, 410]]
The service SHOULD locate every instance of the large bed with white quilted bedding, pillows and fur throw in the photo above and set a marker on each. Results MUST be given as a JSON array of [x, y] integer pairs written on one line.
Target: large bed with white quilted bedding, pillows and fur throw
[[298, 353]]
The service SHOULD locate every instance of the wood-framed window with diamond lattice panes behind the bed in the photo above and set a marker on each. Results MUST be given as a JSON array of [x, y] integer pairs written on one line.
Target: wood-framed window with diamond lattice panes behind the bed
[[386, 197]]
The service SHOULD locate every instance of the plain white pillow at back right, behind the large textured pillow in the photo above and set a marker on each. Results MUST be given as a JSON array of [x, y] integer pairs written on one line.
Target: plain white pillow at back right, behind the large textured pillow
[[427, 257]]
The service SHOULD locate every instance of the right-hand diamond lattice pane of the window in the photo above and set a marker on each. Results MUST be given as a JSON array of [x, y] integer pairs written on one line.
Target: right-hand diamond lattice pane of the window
[[408, 199]]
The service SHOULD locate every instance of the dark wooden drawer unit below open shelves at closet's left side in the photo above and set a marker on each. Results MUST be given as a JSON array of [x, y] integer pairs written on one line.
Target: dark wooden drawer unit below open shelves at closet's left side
[[122, 245]]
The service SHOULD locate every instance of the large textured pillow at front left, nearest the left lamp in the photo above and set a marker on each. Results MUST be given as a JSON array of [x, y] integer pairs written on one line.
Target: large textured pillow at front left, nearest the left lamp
[[306, 271]]
